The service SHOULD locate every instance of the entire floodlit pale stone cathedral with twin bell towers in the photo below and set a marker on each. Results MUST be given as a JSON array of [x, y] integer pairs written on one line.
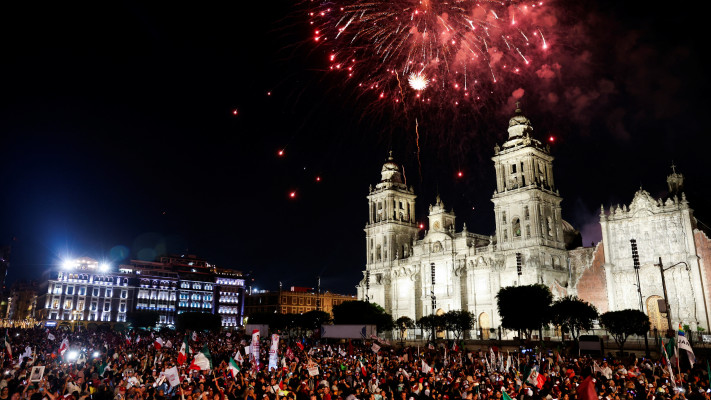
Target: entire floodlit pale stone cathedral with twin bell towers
[[461, 270]]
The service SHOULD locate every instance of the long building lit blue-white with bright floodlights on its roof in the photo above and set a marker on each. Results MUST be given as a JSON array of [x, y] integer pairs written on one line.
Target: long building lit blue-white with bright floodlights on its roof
[[83, 291]]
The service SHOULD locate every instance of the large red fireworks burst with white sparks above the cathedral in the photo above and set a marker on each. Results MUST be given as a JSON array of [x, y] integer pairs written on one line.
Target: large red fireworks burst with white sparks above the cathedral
[[452, 51]]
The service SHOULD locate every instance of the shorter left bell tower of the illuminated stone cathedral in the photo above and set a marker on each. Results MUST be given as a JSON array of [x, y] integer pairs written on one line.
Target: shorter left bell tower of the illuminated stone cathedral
[[392, 226]]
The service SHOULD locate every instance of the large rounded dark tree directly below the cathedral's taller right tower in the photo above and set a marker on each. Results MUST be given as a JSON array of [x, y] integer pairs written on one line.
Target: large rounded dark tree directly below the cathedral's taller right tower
[[524, 308]]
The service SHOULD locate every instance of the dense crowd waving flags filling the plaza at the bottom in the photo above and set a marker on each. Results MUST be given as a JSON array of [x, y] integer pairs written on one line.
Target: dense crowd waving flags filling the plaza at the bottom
[[106, 365]]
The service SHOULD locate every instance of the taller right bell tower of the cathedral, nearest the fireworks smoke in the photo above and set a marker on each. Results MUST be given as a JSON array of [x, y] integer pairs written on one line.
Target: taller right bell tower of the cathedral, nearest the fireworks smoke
[[526, 201]]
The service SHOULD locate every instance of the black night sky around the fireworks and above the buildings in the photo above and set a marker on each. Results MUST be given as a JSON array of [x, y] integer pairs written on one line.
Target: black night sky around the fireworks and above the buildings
[[118, 137]]
